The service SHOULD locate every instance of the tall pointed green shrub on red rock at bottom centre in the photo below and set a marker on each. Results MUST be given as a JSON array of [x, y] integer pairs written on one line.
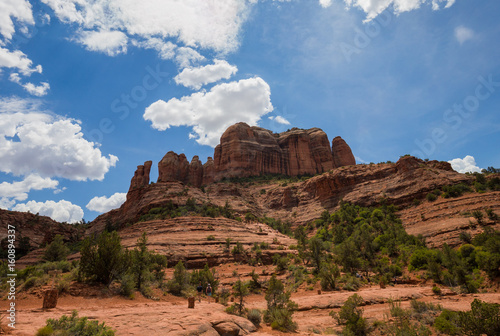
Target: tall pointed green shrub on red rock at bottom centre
[[279, 307]]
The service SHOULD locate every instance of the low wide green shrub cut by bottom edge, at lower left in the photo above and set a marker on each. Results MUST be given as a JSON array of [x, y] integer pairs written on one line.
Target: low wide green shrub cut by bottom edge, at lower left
[[75, 326]]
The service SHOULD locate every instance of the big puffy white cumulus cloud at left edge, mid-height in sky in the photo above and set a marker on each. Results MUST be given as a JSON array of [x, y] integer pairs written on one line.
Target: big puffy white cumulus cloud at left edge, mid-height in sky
[[35, 141]]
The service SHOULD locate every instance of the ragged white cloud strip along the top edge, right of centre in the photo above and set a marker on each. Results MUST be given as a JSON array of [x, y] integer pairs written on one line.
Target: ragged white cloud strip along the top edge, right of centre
[[374, 7]]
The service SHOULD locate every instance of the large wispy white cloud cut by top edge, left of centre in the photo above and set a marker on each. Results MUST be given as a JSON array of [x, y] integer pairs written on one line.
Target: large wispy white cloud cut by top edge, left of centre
[[193, 23]]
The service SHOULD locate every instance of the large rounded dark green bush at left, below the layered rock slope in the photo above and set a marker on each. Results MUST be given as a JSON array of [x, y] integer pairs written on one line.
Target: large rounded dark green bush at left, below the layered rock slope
[[103, 259]]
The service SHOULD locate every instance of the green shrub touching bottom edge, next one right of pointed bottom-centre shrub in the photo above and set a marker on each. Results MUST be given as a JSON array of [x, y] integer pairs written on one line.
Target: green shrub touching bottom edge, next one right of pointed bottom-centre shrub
[[352, 317]]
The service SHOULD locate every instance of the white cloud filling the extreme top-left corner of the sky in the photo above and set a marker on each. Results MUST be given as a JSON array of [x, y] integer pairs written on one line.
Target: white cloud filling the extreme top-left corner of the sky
[[20, 10]]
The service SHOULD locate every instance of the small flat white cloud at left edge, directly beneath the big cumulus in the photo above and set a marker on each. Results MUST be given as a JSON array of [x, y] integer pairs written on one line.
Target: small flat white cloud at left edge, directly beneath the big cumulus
[[19, 190]]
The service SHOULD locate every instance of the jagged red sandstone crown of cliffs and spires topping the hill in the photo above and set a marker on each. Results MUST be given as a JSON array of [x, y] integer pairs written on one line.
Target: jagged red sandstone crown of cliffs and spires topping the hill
[[249, 151]]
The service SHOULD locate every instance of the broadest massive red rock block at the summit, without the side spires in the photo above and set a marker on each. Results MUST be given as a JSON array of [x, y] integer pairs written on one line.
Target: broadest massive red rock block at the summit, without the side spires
[[250, 151]]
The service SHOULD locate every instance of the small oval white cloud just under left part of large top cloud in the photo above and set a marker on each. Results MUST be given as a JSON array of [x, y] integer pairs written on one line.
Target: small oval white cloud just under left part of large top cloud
[[111, 43]]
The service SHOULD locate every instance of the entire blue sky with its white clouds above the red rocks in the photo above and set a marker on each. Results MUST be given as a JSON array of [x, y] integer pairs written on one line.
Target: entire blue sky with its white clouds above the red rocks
[[91, 89]]
